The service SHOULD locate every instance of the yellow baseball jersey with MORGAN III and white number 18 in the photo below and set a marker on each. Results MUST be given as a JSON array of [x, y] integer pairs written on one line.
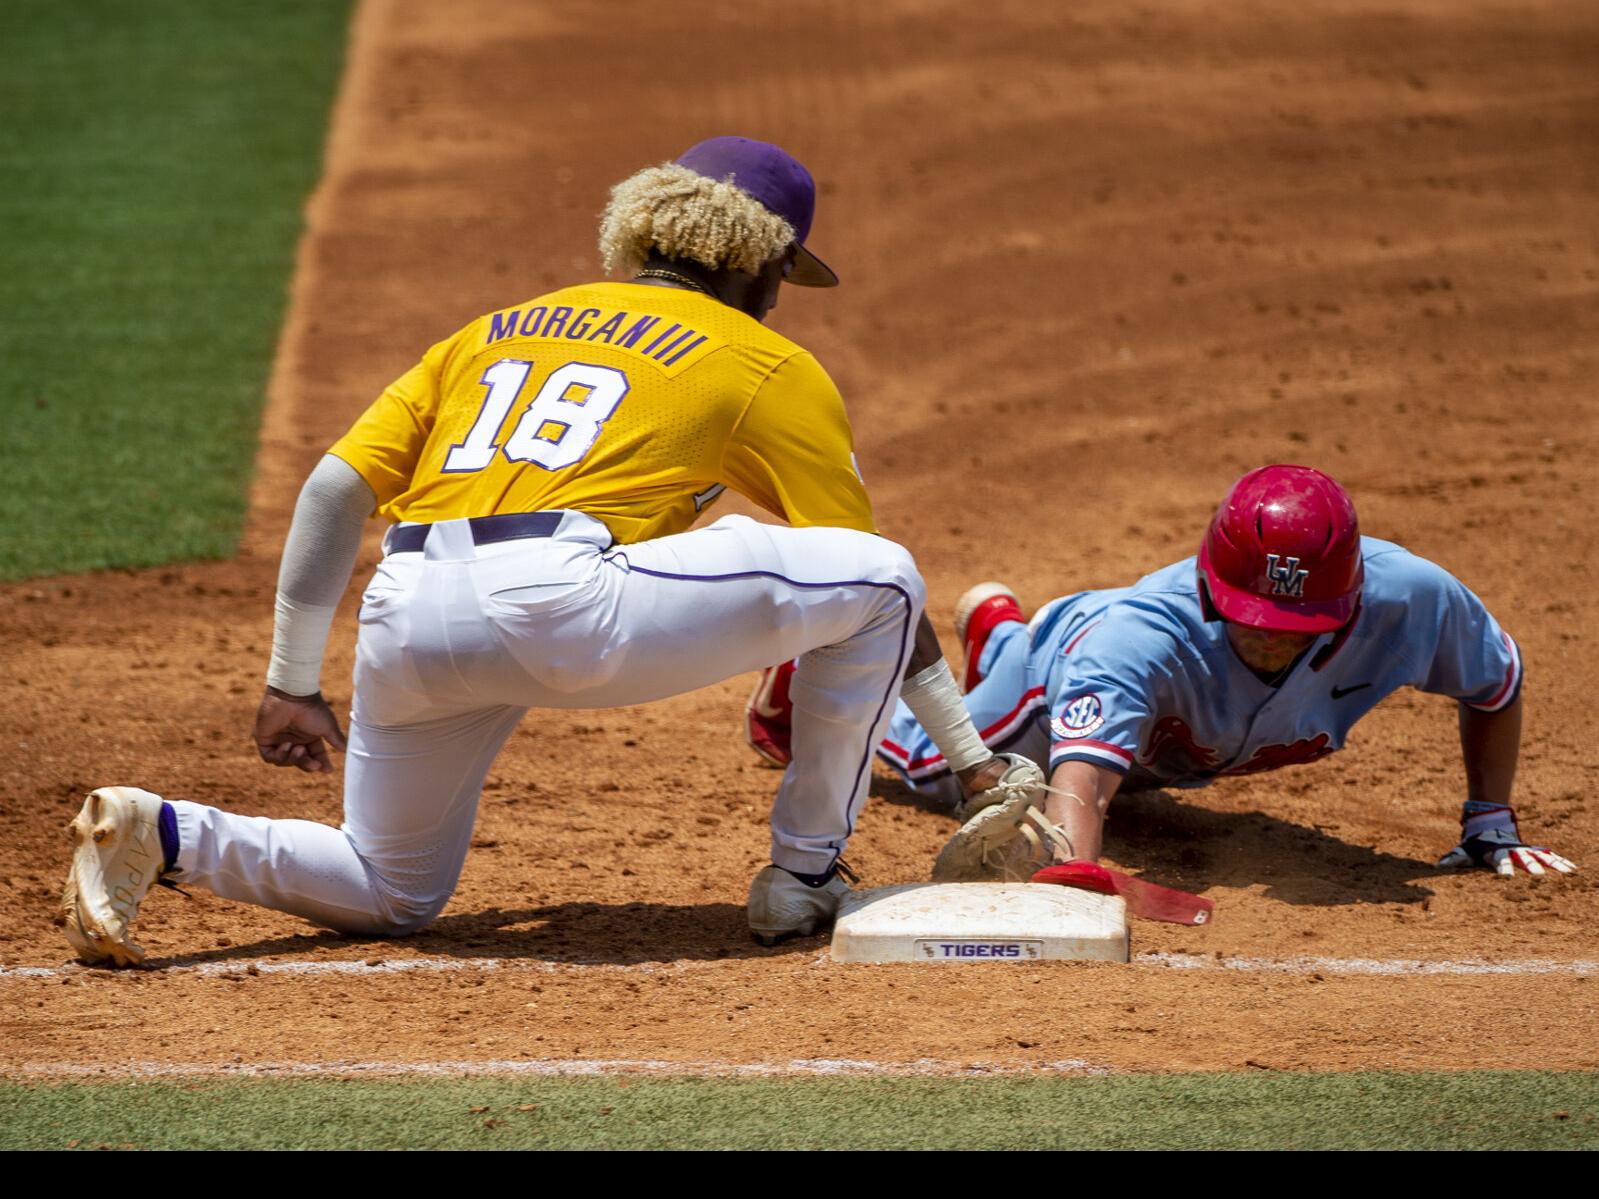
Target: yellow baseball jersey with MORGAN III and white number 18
[[632, 404]]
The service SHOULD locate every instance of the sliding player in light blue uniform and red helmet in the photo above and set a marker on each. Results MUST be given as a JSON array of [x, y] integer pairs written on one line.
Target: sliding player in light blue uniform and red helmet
[[1261, 653]]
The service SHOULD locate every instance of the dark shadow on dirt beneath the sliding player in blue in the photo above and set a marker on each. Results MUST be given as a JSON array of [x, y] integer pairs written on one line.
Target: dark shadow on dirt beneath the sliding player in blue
[[1182, 845]]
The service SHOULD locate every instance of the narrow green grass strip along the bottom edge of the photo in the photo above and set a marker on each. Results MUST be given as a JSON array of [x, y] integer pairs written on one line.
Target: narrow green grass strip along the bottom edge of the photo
[[1146, 1112]]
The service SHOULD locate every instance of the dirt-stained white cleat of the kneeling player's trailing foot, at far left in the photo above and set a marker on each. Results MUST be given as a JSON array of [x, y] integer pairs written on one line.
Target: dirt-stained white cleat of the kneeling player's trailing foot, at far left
[[116, 862]]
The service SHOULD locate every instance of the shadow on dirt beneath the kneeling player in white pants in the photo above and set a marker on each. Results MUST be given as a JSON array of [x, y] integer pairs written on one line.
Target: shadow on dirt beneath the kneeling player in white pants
[[588, 934]]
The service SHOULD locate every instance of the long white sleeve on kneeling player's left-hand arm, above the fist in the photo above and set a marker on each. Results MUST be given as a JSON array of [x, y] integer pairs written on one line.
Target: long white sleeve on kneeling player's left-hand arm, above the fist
[[317, 560]]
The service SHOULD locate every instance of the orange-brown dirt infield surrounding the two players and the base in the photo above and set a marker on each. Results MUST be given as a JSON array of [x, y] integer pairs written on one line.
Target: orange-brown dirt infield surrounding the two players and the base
[[1095, 268]]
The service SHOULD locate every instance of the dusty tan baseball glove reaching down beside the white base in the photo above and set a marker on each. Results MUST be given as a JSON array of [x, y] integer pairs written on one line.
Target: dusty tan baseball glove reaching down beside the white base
[[1005, 835]]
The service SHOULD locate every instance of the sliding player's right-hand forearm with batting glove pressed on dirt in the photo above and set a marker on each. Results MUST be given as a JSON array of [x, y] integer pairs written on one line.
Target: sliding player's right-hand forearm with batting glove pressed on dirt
[[1489, 837]]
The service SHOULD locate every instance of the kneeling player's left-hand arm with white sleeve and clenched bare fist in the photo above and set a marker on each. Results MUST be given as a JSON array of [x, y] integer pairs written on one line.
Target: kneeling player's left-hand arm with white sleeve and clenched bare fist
[[295, 727]]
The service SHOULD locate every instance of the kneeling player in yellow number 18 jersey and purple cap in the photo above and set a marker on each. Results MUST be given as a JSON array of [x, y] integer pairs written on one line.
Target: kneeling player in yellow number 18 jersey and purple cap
[[541, 469]]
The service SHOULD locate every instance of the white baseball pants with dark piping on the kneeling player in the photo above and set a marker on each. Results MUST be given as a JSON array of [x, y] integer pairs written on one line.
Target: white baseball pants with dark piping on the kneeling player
[[460, 640]]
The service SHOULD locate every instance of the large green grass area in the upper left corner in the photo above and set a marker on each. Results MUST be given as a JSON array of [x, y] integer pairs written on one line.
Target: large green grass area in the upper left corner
[[154, 165]]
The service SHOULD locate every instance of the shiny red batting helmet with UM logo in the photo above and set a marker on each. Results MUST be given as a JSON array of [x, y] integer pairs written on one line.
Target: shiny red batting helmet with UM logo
[[1285, 552]]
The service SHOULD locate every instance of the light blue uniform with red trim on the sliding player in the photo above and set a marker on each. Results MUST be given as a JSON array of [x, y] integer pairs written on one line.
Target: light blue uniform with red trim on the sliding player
[[1136, 680]]
